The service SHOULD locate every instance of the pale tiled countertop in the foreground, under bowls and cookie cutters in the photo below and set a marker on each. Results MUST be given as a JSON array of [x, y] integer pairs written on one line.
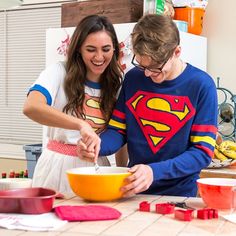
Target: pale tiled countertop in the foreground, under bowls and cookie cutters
[[136, 223]]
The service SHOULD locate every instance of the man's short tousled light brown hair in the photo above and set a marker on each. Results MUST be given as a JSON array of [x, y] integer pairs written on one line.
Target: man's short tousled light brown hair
[[156, 36]]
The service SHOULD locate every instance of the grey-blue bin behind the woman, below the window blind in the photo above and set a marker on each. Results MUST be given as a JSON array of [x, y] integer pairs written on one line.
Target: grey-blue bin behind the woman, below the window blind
[[32, 153]]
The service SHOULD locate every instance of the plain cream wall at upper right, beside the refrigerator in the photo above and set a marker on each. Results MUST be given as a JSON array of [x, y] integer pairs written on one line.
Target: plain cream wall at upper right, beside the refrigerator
[[220, 29]]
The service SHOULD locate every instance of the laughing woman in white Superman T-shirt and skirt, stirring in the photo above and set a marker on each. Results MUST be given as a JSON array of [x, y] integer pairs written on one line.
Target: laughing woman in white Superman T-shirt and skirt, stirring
[[75, 98]]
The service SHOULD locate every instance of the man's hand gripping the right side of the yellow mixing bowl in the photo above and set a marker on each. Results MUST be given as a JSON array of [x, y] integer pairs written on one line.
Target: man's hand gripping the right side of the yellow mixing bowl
[[139, 181]]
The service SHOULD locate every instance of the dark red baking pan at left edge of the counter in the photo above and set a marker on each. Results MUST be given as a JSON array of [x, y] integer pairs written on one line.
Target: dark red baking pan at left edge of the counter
[[27, 200]]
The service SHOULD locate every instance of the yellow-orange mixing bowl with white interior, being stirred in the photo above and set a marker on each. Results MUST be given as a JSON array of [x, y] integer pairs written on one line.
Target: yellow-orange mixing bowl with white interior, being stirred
[[103, 185]]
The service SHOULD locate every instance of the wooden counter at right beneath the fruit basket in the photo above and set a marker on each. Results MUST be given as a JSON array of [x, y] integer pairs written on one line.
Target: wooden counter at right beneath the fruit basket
[[227, 172]]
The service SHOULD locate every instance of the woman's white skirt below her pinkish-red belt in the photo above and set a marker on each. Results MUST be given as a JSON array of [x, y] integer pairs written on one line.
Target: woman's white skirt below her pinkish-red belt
[[51, 167]]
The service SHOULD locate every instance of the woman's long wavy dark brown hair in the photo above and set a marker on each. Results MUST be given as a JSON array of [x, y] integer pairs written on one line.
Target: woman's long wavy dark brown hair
[[76, 70]]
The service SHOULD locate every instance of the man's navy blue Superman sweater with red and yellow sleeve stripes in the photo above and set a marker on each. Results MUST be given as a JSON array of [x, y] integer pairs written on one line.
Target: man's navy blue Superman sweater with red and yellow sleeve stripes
[[169, 126]]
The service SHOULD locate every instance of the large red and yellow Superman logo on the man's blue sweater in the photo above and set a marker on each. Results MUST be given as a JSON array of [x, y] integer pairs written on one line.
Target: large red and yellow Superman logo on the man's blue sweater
[[160, 116]]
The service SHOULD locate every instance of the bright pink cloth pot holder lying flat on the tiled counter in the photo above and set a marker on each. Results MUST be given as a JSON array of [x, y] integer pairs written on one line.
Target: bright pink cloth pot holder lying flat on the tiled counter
[[86, 213]]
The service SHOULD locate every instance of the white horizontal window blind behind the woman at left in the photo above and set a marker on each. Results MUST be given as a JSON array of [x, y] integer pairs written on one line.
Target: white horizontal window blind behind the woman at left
[[22, 58]]
